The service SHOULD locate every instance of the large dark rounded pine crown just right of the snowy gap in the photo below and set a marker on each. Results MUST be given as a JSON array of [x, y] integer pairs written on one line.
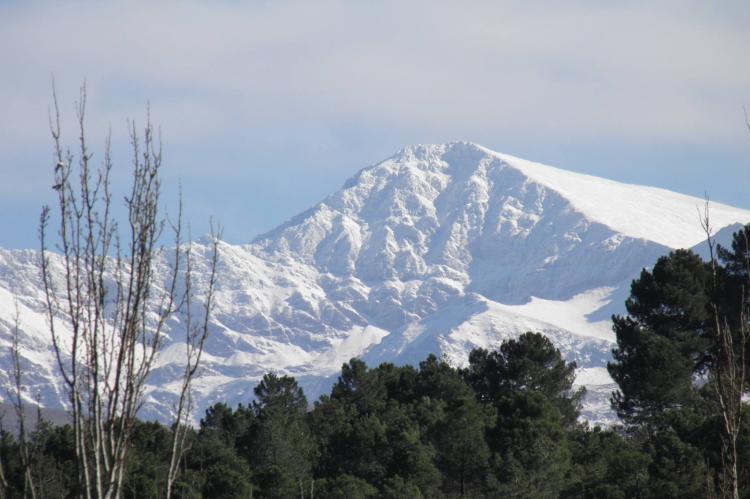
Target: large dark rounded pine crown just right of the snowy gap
[[664, 342]]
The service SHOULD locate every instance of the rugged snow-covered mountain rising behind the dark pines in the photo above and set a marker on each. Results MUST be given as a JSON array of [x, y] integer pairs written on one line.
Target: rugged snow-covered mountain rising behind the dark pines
[[438, 249]]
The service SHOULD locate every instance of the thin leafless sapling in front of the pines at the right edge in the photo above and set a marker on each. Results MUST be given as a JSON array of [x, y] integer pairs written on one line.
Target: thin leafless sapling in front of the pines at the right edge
[[729, 365]]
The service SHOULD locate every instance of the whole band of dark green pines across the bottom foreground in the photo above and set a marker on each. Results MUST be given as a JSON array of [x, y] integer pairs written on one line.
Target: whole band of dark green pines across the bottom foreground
[[505, 425]]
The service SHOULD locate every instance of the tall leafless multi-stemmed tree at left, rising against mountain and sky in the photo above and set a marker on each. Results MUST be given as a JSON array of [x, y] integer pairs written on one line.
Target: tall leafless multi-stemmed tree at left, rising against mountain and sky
[[108, 313]]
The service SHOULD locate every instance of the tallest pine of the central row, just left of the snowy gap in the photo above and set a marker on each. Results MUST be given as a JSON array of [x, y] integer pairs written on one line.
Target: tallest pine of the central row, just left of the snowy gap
[[530, 386]]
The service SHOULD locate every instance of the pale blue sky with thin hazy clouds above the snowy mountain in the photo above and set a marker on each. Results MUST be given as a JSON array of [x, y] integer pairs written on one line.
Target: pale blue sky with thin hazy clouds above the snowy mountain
[[267, 107]]
